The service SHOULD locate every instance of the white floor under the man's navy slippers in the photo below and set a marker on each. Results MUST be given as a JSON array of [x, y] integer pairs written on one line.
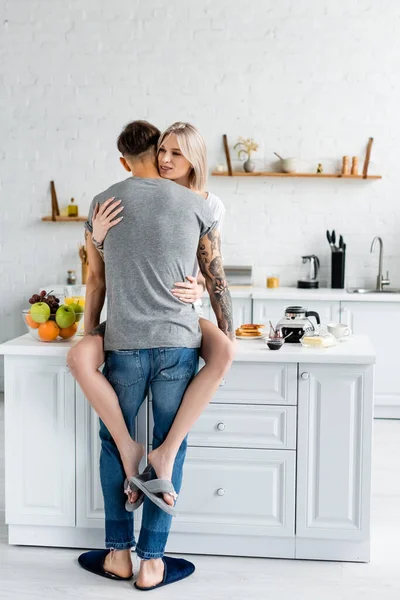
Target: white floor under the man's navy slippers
[[45, 573]]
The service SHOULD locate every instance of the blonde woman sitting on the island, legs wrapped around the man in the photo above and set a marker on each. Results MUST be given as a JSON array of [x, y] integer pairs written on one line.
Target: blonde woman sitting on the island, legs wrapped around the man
[[181, 156]]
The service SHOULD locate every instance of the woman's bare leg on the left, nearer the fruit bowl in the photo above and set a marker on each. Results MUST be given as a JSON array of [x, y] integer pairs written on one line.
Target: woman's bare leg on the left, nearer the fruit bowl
[[84, 360]]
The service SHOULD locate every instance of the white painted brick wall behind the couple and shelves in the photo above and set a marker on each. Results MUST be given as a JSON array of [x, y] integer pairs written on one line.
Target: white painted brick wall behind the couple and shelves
[[303, 77]]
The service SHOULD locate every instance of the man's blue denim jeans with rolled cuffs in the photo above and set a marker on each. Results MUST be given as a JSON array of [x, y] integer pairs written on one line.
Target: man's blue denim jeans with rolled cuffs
[[167, 372]]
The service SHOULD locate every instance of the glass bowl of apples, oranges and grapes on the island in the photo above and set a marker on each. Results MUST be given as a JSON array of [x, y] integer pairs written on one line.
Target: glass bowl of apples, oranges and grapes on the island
[[48, 321]]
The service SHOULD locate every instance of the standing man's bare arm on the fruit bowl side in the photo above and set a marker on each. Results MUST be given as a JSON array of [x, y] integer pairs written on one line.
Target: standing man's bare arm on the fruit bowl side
[[95, 286]]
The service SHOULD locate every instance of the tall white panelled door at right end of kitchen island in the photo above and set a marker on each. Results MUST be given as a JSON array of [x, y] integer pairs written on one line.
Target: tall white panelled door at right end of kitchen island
[[334, 452]]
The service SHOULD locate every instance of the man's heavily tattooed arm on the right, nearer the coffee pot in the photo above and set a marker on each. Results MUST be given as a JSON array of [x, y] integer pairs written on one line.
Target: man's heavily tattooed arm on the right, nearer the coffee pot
[[210, 263]]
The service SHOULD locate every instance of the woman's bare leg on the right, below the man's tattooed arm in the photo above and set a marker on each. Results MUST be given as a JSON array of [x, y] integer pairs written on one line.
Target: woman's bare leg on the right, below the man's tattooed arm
[[218, 352]]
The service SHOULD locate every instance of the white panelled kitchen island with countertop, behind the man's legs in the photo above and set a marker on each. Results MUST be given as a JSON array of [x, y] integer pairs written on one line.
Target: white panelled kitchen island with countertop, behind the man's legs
[[293, 425]]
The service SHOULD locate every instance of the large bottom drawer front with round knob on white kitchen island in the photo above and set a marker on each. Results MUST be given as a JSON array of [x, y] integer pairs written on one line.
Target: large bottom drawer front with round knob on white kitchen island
[[237, 492]]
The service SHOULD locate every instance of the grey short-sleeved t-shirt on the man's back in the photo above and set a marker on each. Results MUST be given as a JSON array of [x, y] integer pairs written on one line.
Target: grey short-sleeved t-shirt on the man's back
[[145, 254]]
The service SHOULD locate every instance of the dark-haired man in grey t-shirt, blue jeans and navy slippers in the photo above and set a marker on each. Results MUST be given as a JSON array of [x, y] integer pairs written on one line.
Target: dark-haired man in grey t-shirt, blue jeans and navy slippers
[[151, 339]]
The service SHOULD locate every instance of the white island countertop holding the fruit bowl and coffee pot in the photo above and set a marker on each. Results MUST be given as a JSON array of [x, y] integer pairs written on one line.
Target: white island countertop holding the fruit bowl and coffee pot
[[357, 350]]
